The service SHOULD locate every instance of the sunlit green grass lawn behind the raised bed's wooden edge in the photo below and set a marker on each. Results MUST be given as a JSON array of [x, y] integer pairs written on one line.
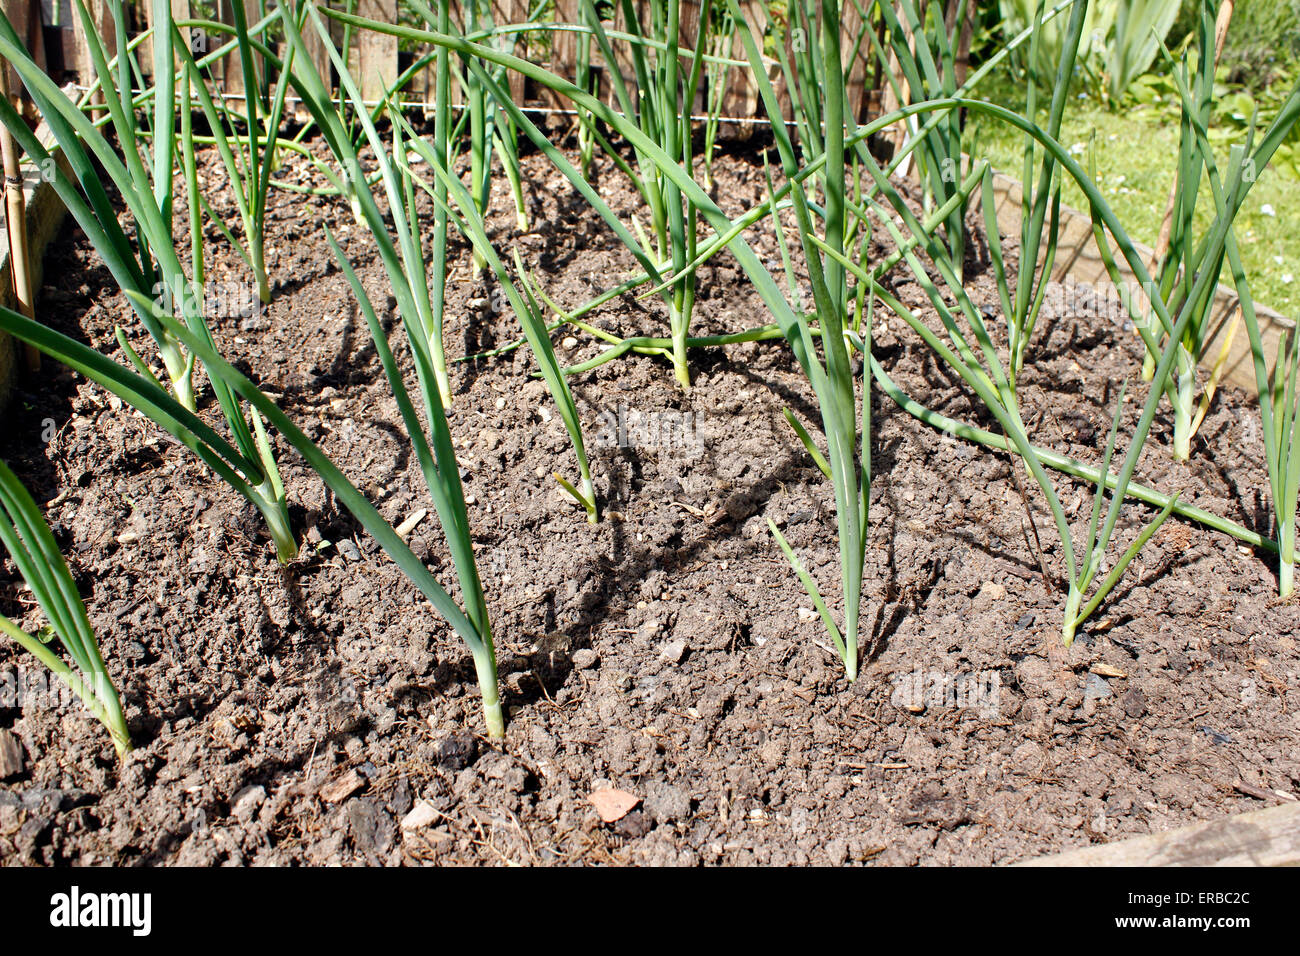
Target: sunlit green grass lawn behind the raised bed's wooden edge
[[1136, 152]]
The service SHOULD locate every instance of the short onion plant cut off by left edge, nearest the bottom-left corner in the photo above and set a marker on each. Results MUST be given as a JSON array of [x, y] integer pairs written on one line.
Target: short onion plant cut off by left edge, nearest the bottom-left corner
[[36, 553]]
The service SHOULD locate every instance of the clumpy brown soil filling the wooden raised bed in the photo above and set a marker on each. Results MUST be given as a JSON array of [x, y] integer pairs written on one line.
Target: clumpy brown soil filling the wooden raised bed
[[300, 715]]
